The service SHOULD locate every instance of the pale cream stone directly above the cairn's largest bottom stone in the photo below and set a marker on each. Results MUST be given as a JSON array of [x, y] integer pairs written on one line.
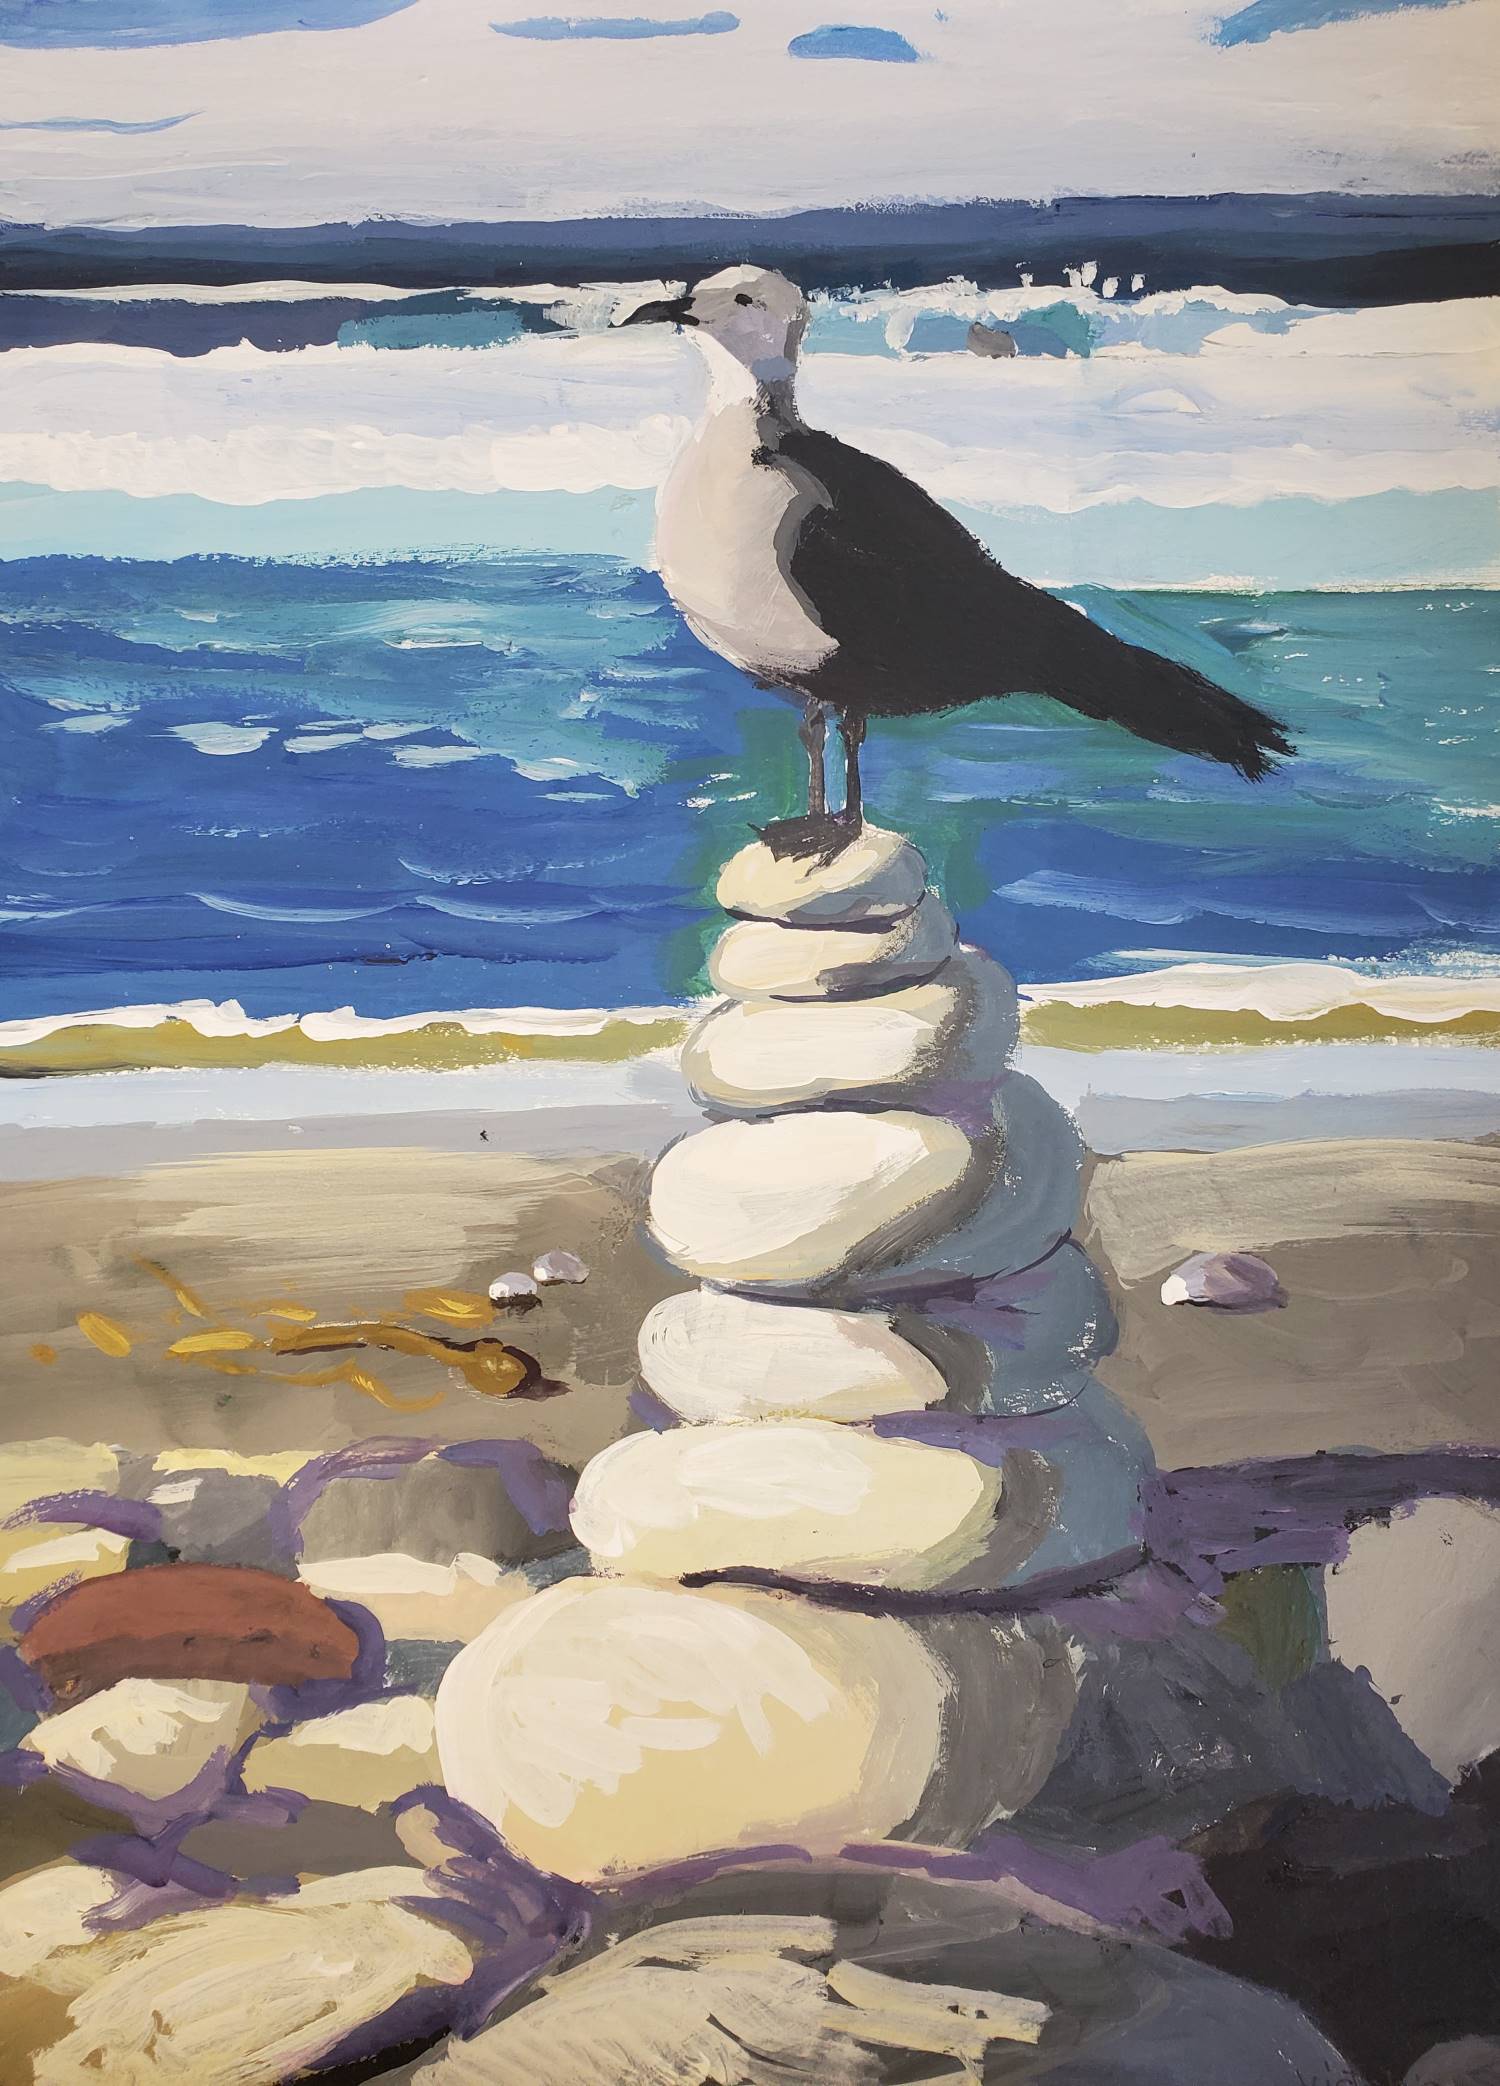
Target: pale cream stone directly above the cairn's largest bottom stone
[[804, 1499]]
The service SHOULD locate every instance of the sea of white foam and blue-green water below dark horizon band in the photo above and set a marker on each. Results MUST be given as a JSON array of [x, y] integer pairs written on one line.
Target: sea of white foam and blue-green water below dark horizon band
[[406, 767]]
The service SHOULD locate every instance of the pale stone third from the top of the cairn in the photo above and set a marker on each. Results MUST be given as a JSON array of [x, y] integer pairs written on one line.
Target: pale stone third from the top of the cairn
[[765, 1054]]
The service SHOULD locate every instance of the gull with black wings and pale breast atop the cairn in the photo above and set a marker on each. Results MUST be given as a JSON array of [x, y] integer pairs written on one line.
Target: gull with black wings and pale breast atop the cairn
[[842, 585]]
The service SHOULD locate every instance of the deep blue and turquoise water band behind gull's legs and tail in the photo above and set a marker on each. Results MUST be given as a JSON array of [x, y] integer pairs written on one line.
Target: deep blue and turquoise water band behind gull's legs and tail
[[508, 783]]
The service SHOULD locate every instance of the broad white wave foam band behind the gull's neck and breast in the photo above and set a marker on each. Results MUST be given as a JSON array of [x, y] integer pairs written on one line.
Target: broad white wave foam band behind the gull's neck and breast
[[1338, 406]]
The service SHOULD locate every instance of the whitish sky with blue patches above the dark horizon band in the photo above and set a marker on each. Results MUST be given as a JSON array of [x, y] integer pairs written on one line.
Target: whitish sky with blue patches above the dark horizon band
[[216, 112]]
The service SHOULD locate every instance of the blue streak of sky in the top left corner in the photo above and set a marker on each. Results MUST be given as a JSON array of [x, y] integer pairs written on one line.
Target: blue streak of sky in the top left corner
[[139, 24]]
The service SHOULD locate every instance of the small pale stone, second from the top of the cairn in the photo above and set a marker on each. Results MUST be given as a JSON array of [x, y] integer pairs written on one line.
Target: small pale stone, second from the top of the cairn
[[763, 961]]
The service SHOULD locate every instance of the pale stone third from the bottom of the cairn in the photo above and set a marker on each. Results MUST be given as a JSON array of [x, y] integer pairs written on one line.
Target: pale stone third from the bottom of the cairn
[[719, 1357]]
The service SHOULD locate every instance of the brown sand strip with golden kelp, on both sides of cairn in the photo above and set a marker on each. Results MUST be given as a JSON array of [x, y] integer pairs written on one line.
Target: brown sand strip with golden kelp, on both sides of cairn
[[1390, 1257]]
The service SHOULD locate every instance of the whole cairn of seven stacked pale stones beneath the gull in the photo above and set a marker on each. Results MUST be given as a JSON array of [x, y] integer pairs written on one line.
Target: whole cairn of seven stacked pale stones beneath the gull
[[869, 1417]]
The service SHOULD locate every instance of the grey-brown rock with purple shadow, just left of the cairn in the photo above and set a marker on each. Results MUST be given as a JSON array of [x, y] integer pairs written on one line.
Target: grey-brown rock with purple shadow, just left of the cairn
[[431, 1509]]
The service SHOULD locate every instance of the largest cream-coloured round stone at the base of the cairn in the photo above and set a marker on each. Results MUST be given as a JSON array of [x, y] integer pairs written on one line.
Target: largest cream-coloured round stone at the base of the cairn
[[606, 1728]]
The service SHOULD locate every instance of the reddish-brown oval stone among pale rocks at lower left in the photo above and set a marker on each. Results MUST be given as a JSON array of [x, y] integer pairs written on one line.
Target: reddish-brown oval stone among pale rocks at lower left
[[187, 1622]]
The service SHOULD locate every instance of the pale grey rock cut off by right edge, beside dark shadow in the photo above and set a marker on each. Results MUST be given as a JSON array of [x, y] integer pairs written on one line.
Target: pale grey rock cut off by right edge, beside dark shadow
[[1418, 1605]]
